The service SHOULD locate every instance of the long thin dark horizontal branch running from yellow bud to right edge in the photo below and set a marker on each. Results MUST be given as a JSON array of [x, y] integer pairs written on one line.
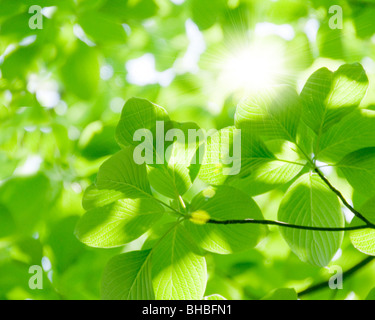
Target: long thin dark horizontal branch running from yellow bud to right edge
[[288, 225]]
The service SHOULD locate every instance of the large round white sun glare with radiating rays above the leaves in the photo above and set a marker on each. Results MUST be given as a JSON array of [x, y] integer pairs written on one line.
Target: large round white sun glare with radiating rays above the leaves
[[252, 68]]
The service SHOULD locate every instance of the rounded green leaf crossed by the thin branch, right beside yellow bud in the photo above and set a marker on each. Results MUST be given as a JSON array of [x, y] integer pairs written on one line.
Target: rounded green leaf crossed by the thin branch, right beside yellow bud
[[224, 203]]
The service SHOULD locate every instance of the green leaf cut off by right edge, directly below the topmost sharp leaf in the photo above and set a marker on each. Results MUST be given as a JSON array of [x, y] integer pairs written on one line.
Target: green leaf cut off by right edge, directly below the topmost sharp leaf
[[356, 131]]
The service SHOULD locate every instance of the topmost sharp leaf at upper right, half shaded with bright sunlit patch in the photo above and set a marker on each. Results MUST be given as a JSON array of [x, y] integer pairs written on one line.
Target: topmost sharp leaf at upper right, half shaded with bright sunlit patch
[[329, 96]]
